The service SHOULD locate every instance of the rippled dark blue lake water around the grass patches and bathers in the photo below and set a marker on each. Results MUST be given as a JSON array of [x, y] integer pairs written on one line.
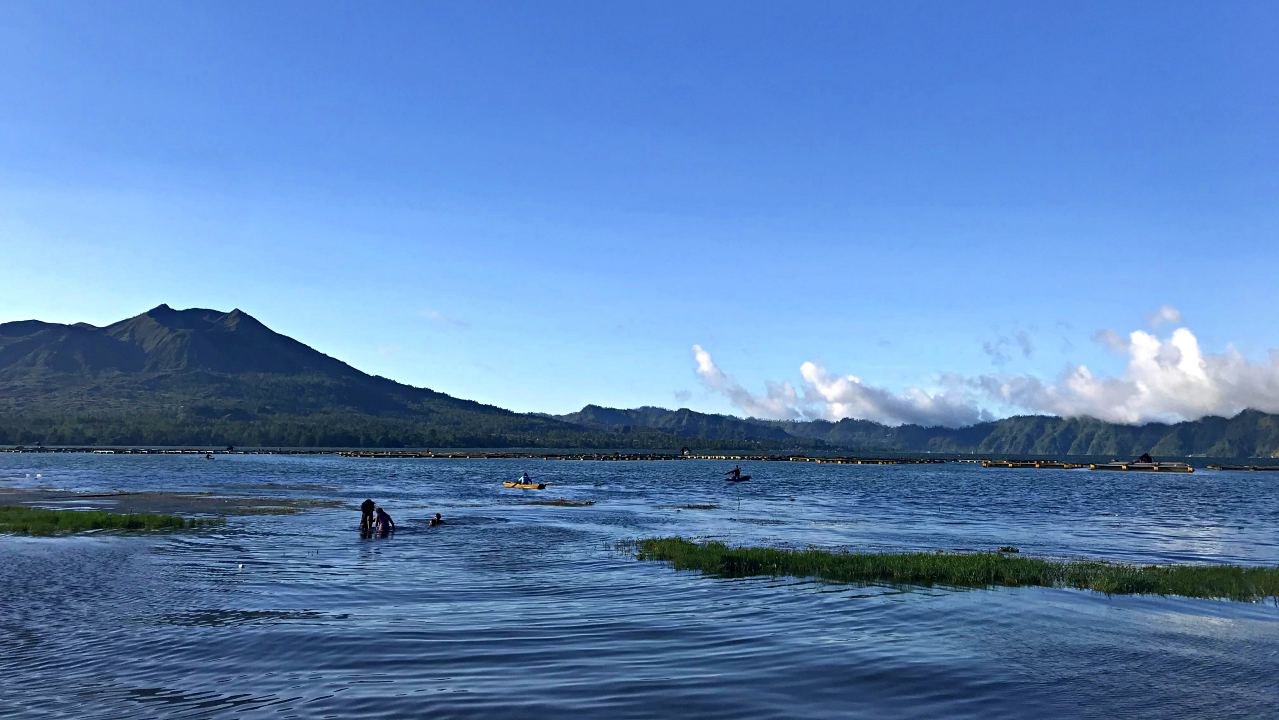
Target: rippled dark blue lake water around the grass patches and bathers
[[521, 611]]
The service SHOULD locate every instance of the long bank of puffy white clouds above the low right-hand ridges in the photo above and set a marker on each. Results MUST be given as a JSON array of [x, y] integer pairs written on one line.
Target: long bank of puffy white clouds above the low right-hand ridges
[[1166, 379]]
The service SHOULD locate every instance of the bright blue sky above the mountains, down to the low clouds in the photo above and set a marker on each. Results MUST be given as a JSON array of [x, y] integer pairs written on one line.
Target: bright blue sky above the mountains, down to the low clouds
[[547, 205]]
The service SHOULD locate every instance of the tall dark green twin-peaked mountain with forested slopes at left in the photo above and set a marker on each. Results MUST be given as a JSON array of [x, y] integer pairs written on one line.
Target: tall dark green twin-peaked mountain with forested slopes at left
[[203, 377]]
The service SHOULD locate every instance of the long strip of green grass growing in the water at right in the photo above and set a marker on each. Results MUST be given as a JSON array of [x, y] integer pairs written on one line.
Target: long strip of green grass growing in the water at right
[[978, 570]]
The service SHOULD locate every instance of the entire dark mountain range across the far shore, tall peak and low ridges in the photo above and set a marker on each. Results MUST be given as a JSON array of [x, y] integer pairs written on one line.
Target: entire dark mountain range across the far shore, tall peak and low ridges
[[210, 378]]
